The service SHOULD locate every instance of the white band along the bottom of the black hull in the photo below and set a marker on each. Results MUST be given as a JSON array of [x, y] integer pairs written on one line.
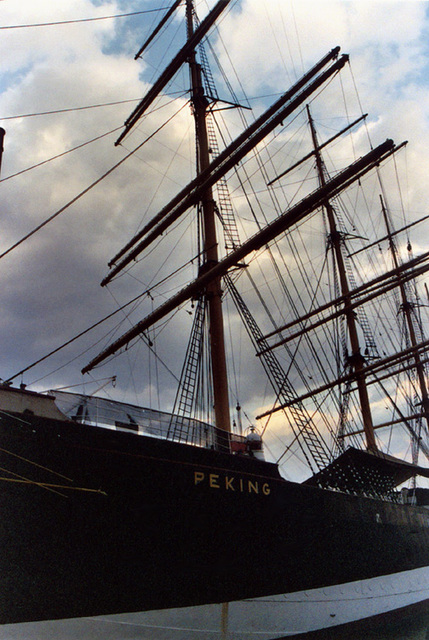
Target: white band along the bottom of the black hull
[[265, 618]]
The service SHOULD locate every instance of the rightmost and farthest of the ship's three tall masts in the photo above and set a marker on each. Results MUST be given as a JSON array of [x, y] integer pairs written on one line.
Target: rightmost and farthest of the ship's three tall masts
[[406, 308]]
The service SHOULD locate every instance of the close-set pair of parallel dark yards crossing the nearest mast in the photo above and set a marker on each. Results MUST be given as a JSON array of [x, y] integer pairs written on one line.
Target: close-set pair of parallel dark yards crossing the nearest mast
[[228, 158]]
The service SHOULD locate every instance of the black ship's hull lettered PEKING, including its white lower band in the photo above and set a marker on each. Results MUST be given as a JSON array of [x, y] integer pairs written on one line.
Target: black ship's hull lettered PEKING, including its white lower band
[[109, 522]]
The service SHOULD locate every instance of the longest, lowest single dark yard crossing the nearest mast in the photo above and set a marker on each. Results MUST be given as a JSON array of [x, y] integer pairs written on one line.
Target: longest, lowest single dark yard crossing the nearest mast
[[260, 239]]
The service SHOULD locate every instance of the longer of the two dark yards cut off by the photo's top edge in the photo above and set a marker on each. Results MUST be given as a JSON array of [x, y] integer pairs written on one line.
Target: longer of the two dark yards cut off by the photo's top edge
[[173, 67]]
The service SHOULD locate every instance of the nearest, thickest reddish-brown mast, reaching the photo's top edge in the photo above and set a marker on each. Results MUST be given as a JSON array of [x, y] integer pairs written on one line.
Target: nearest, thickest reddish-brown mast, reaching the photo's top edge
[[213, 291]]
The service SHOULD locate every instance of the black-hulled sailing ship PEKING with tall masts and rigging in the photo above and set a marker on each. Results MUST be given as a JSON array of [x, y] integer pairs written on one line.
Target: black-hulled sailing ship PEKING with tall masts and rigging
[[199, 518]]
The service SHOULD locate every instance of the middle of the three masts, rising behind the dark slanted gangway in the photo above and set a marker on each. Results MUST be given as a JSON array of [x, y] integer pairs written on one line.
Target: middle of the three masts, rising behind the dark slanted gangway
[[356, 360]]
